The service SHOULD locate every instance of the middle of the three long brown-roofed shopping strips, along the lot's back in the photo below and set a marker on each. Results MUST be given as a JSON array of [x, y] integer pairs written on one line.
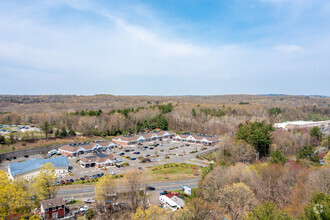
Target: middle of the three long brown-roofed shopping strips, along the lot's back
[[141, 138]]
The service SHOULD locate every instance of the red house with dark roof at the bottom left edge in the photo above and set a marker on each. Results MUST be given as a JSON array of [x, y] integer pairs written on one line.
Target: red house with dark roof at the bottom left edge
[[53, 208]]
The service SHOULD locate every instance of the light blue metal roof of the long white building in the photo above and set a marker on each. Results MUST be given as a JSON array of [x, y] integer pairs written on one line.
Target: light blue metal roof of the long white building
[[33, 164]]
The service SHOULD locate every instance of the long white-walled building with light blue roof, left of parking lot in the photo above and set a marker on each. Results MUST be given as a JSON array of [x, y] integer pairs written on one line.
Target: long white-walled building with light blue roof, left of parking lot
[[30, 168]]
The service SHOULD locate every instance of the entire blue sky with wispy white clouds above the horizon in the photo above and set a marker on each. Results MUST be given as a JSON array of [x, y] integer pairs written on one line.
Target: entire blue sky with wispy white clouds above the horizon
[[174, 47]]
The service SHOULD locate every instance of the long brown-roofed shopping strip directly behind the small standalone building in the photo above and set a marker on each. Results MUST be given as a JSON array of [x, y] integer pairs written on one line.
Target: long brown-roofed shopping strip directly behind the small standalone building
[[77, 149]]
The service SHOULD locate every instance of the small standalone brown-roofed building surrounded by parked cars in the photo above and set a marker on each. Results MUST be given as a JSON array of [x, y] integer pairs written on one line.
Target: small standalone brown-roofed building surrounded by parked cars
[[97, 160]]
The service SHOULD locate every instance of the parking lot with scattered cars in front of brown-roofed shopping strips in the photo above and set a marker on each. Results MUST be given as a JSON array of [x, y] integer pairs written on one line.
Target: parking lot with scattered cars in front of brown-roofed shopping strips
[[157, 152]]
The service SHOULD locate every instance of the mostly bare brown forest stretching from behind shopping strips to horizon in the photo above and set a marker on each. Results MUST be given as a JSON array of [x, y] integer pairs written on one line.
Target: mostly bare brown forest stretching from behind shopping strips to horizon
[[106, 115]]
